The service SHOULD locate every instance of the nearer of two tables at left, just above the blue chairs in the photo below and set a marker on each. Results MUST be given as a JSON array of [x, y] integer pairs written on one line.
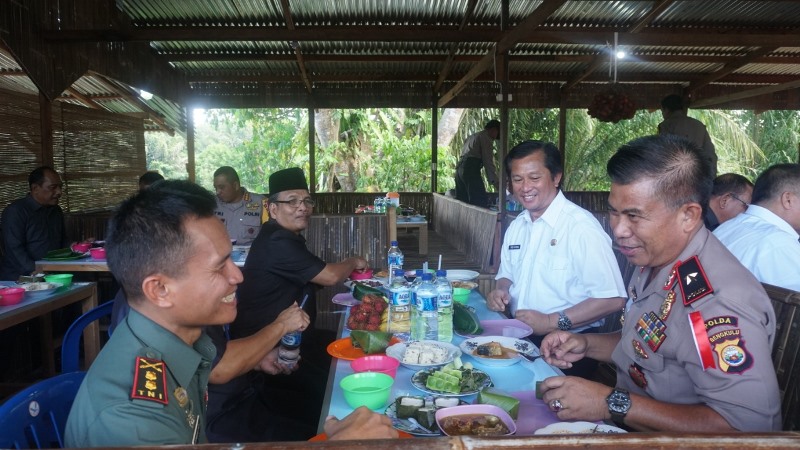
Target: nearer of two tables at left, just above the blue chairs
[[40, 306]]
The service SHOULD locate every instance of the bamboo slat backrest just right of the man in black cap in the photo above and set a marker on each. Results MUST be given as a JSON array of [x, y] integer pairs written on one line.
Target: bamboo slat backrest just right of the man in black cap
[[336, 237]]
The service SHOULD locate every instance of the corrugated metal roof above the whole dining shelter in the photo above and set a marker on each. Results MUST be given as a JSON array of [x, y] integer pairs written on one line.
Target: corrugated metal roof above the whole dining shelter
[[255, 53]]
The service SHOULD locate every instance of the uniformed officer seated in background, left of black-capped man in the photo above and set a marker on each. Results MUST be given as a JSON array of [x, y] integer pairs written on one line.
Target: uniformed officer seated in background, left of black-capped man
[[241, 211]]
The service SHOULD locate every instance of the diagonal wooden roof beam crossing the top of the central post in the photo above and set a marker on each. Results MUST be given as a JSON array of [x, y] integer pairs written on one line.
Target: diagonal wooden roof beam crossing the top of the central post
[[507, 40]]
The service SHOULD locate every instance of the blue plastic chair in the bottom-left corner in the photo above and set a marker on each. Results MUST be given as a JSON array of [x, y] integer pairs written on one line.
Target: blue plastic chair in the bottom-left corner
[[37, 416]]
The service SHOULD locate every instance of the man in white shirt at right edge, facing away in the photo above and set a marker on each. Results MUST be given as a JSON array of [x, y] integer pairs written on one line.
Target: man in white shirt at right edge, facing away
[[765, 237]]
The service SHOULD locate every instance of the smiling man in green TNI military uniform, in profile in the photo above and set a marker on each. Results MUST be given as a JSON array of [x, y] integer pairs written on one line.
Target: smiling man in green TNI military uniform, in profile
[[149, 384]]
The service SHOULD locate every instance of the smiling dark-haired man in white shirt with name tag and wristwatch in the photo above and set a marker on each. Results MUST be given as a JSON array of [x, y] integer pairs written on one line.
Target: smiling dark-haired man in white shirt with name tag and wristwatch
[[557, 268]]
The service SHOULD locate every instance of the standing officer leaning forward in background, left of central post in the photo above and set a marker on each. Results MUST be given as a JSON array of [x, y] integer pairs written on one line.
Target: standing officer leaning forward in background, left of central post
[[477, 152]]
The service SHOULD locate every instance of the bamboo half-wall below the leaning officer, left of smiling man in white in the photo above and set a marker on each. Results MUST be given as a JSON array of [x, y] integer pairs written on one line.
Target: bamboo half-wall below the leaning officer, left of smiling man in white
[[468, 228]]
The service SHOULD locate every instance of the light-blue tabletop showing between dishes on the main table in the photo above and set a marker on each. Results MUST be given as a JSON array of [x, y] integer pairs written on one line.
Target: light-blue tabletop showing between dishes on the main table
[[519, 380]]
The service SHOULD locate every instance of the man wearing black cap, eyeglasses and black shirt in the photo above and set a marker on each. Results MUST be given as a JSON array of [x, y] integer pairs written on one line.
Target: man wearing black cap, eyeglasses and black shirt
[[279, 271]]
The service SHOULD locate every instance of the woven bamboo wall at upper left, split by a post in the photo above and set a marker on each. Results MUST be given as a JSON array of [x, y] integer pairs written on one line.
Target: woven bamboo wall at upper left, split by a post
[[99, 155]]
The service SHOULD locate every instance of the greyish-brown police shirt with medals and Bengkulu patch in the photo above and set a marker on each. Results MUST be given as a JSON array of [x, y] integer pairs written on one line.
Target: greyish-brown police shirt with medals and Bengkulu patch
[[702, 332]]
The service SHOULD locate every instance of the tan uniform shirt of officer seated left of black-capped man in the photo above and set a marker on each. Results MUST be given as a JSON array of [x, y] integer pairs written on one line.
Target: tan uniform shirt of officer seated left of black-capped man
[[243, 219]]
